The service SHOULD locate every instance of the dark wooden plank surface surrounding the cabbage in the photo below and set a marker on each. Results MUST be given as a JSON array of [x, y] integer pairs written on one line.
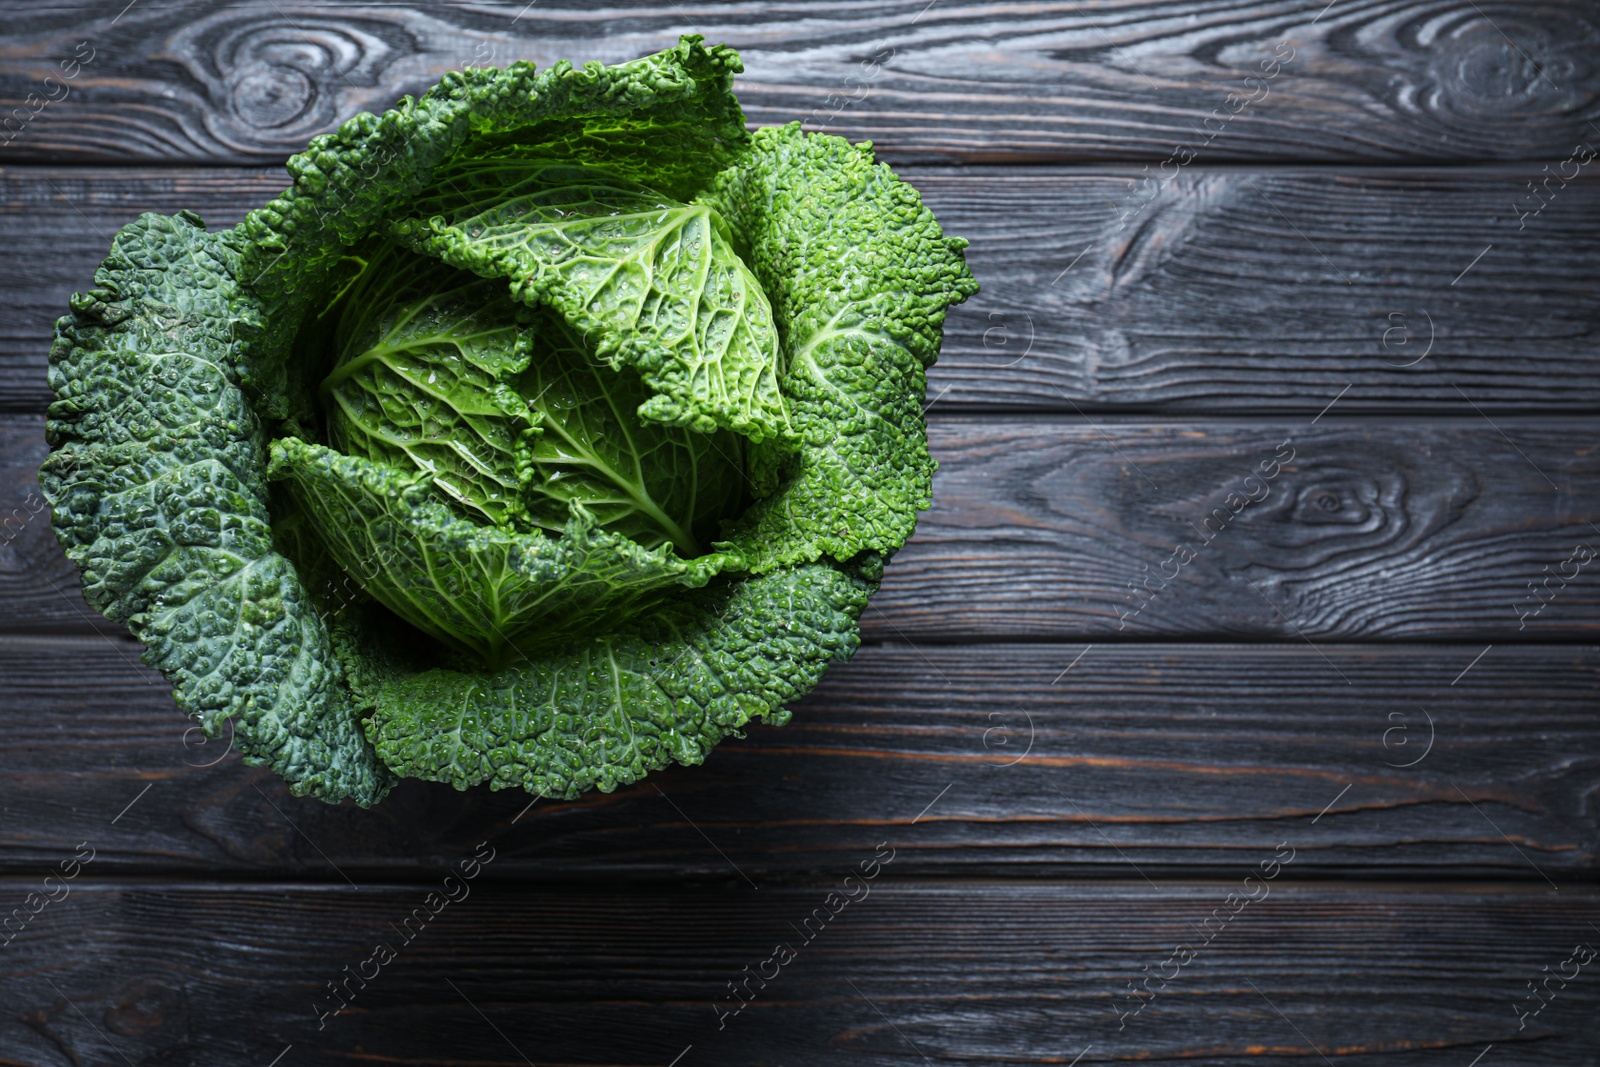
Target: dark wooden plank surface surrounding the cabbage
[[1369, 266]]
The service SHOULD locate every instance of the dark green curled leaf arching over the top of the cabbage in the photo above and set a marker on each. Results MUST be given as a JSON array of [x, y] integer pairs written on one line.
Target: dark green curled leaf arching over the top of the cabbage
[[674, 114]]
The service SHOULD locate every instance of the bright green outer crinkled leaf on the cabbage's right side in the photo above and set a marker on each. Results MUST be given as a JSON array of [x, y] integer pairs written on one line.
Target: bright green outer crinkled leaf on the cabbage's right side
[[860, 276]]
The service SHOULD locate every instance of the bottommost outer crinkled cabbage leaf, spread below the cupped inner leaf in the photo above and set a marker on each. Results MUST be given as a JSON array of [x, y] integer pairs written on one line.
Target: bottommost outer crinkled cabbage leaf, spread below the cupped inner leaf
[[610, 711]]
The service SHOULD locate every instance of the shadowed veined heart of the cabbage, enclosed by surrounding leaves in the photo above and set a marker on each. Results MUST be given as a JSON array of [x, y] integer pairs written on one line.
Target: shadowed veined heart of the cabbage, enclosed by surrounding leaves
[[510, 414]]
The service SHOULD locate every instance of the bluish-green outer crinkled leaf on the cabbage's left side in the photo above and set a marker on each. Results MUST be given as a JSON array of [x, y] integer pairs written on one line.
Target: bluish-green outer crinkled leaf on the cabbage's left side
[[158, 495]]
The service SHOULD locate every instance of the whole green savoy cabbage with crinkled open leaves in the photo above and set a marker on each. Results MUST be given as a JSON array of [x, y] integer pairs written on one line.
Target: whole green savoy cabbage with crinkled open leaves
[[785, 289]]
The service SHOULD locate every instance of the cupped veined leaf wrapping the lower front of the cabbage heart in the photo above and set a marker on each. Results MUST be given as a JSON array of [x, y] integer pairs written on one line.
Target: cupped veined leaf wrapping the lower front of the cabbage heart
[[484, 589]]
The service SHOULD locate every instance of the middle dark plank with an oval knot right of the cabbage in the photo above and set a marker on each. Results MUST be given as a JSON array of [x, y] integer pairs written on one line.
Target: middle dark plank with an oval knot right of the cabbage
[[1062, 529]]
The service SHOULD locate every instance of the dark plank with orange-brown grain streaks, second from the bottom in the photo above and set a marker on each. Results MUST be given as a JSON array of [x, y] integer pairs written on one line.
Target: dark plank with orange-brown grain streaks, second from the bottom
[[1188, 759]]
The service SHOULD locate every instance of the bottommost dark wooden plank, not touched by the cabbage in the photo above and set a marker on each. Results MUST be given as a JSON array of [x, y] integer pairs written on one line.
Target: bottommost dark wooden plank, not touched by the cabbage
[[959, 973]]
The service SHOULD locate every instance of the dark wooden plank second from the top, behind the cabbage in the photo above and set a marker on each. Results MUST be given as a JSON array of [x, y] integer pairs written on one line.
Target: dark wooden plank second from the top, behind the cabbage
[[1209, 300]]
